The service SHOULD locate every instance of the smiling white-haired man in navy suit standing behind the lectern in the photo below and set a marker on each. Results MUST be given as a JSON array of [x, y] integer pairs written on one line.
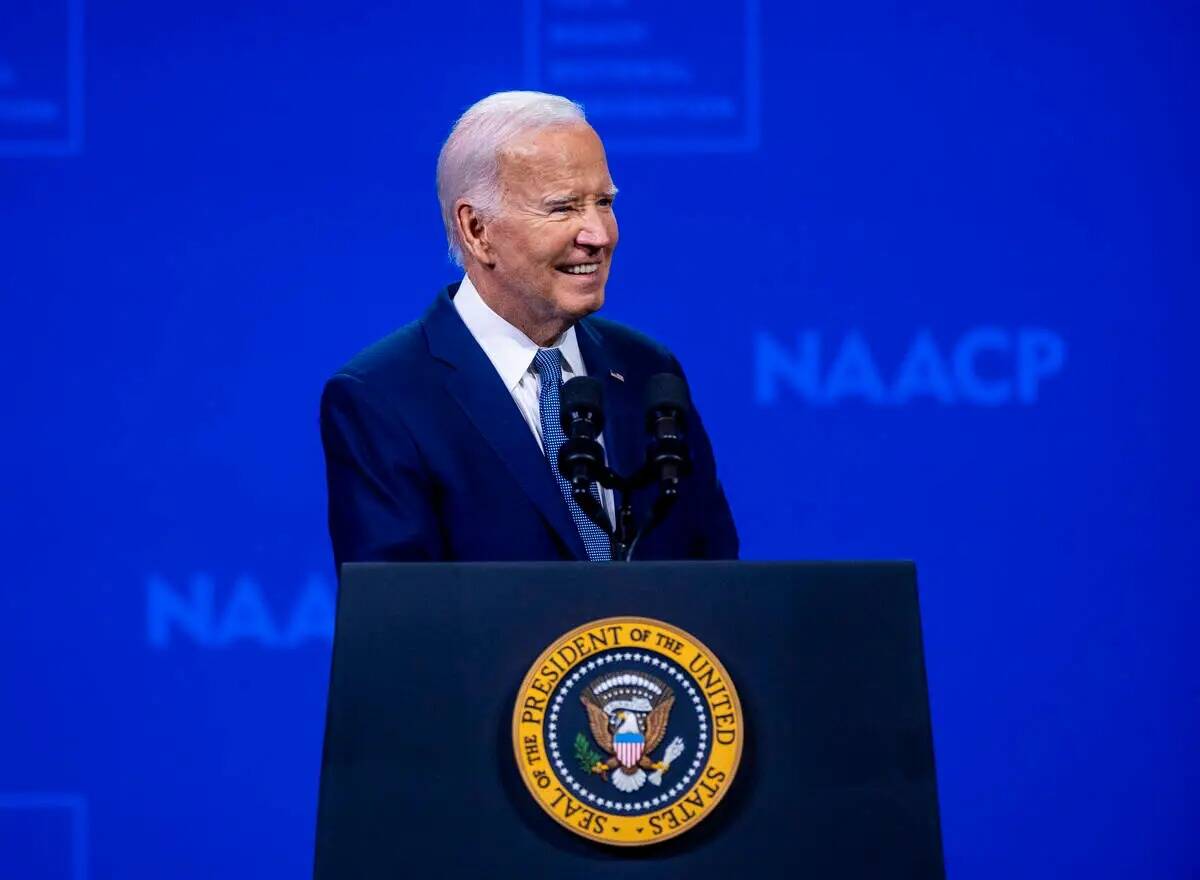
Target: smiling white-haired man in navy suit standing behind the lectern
[[440, 439]]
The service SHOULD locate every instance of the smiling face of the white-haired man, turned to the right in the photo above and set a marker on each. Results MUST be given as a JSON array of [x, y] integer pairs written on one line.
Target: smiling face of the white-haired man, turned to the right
[[553, 244]]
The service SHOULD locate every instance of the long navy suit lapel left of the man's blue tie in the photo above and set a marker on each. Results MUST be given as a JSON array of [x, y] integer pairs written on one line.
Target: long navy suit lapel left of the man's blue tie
[[479, 391]]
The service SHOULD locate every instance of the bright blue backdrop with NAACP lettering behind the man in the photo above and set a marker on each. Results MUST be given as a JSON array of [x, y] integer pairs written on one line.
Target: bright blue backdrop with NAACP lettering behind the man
[[947, 253]]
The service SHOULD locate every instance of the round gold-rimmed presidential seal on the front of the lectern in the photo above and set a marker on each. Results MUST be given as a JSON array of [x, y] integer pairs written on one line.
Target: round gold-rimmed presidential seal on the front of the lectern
[[628, 732]]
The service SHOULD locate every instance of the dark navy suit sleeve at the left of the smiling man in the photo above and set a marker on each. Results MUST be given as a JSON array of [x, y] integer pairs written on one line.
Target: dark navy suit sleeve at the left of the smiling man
[[381, 499]]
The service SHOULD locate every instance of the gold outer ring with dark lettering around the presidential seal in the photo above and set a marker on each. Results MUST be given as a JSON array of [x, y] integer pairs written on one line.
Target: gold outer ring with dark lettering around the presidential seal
[[526, 684]]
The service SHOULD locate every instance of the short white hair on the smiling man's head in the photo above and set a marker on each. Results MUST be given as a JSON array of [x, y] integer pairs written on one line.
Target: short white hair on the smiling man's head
[[470, 161]]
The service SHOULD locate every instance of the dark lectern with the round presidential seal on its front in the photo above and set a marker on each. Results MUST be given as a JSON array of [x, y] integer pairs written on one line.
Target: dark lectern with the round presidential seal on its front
[[421, 776]]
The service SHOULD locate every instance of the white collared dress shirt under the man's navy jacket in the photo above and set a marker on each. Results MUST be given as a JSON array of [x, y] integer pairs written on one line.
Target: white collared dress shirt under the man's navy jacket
[[512, 354]]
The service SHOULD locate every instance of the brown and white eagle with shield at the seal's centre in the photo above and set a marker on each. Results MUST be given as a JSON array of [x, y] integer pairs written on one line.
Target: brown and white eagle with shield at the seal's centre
[[628, 715]]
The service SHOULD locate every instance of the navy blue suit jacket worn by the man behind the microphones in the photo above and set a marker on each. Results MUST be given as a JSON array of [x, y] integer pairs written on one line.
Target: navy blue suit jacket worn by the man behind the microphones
[[429, 458]]
